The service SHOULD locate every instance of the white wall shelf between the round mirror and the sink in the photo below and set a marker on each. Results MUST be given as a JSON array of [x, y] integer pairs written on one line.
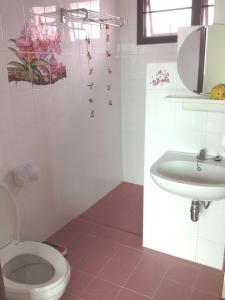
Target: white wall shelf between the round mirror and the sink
[[198, 103]]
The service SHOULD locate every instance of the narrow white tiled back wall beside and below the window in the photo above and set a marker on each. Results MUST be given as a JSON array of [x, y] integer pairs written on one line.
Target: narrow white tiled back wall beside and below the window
[[133, 75]]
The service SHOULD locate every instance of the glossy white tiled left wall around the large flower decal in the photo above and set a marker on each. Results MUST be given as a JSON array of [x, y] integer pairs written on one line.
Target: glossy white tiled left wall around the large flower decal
[[80, 157]]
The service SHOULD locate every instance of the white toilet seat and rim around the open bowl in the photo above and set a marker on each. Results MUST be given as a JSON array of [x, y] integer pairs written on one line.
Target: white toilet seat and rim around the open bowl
[[45, 252]]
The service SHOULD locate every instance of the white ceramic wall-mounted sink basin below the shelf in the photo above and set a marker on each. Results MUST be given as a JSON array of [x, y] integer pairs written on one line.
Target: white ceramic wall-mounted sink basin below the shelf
[[177, 173]]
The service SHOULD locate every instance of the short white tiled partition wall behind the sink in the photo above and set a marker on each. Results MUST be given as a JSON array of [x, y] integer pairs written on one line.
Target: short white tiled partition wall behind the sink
[[167, 224]]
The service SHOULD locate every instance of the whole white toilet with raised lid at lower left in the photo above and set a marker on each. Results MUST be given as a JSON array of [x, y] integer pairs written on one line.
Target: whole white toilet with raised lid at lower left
[[31, 270]]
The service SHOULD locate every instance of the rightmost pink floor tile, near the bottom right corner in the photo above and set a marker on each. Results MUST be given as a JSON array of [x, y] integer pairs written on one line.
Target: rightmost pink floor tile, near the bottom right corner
[[210, 281]]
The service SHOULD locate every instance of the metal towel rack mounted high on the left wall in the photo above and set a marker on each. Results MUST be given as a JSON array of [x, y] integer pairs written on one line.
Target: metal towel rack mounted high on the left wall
[[90, 16]]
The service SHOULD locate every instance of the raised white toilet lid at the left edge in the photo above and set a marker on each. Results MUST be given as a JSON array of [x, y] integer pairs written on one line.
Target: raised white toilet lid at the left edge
[[8, 217]]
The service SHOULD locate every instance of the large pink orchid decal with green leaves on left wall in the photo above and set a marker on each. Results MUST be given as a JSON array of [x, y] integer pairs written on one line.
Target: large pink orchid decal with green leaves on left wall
[[36, 49]]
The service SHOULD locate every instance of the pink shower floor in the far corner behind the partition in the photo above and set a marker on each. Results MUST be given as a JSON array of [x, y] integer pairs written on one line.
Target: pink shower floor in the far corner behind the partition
[[121, 208]]
